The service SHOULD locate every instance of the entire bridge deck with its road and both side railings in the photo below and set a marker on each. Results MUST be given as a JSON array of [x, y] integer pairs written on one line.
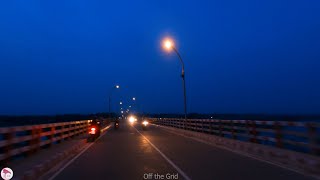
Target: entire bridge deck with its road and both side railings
[[167, 149]]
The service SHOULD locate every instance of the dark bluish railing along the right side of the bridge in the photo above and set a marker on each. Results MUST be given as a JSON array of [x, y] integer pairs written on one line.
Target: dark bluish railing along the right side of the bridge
[[297, 136]]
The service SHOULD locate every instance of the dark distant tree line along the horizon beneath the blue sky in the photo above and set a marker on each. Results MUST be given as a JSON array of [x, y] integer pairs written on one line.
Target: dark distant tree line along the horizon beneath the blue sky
[[6, 121]]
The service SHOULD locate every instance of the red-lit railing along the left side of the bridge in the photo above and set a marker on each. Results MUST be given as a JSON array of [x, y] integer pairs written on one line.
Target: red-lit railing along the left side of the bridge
[[25, 140]]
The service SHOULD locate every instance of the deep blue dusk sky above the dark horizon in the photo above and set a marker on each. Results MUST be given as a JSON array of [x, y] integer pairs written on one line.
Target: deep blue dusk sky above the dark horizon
[[244, 56]]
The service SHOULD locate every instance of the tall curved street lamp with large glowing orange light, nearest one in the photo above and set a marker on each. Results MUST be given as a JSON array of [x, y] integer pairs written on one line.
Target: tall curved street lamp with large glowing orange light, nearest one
[[169, 45]]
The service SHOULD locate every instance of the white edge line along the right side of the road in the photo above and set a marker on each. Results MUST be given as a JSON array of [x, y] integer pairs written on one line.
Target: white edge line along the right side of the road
[[234, 151]]
